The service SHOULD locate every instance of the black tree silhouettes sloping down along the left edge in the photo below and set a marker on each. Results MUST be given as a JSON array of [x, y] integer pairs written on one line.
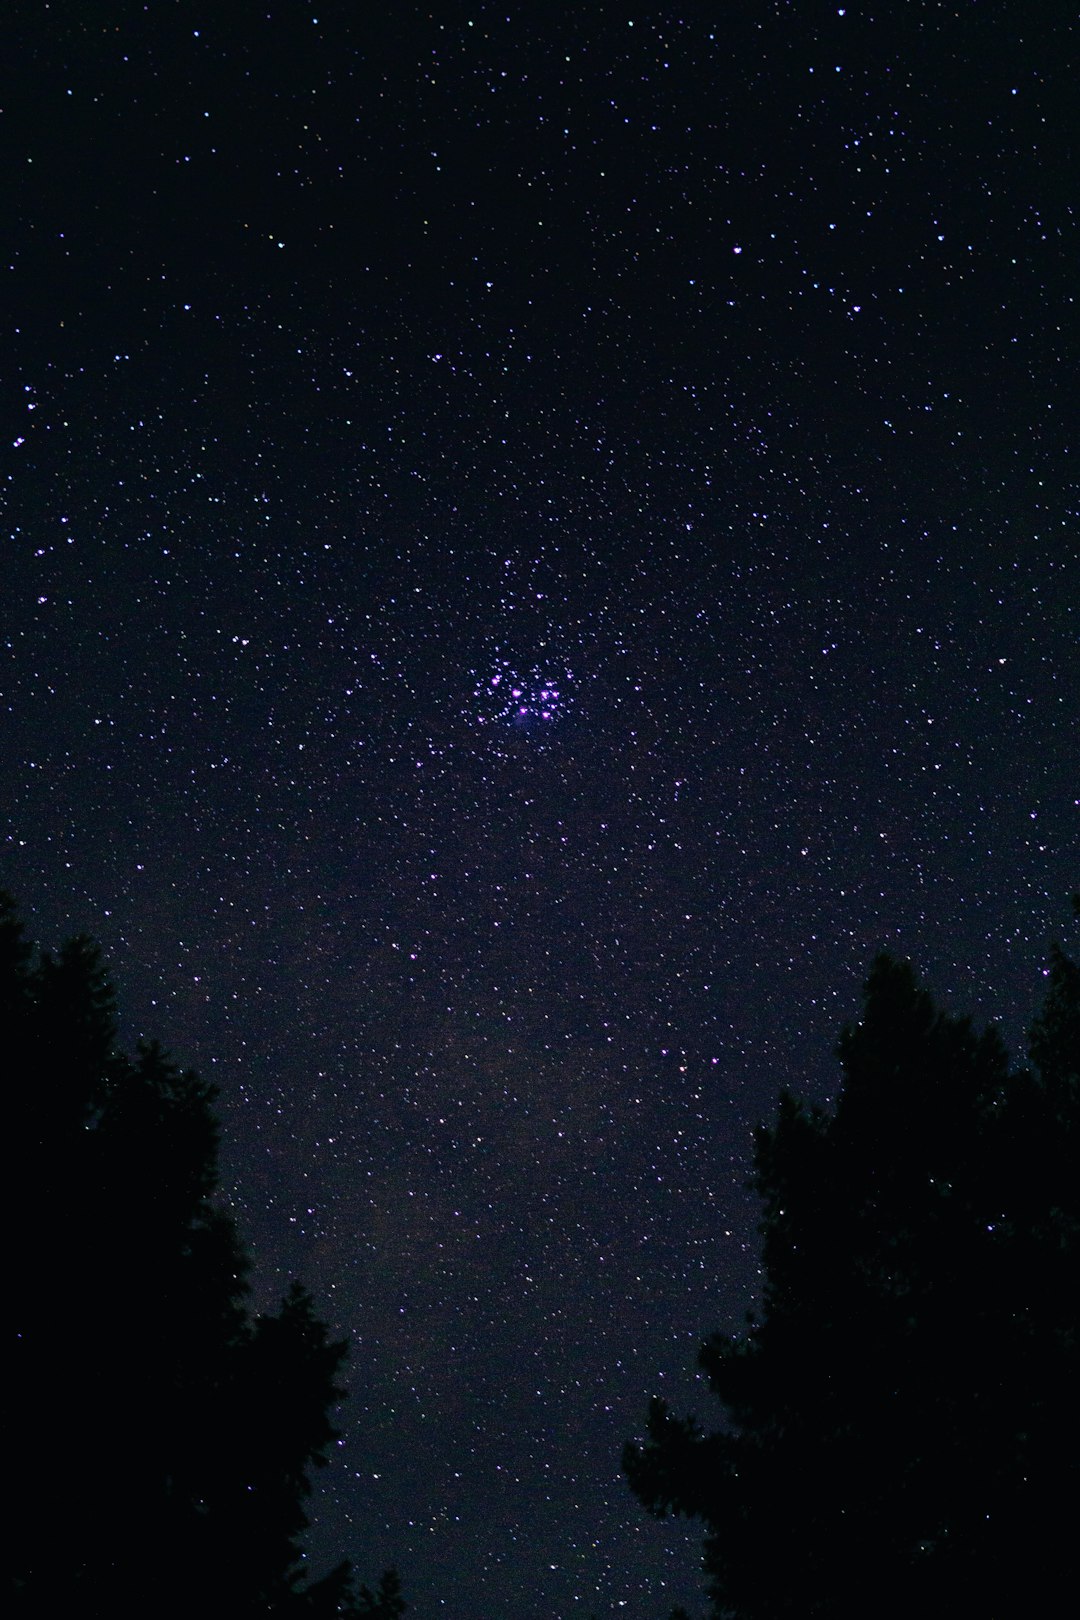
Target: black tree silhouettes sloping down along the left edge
[[163, 1436]]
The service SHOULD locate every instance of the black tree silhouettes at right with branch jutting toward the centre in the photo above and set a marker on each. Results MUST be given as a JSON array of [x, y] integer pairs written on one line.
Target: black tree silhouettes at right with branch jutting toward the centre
[[901, 1420]]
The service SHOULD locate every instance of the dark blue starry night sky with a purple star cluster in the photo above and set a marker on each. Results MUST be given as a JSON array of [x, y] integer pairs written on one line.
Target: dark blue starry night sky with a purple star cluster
[[535, 542]]
